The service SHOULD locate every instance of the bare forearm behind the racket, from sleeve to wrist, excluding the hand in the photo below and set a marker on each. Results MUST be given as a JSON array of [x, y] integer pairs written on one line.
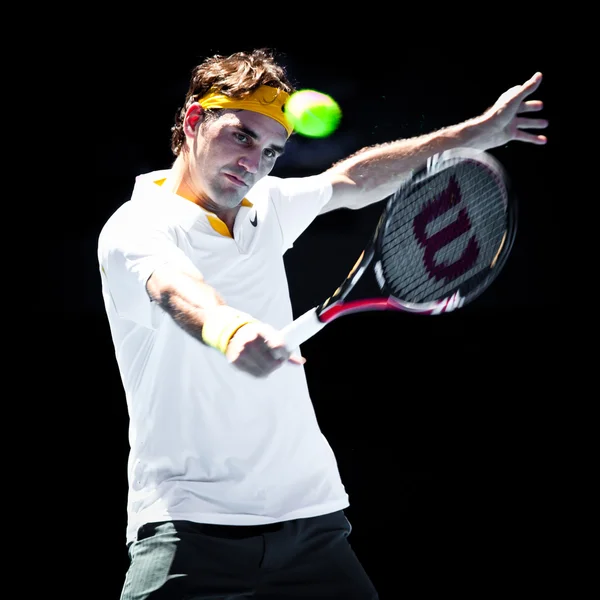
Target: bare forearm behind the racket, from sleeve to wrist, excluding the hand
[[375, 172]]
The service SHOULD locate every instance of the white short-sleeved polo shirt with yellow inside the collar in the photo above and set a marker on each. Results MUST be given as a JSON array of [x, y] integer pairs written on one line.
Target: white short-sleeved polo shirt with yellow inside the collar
[[209, 443]]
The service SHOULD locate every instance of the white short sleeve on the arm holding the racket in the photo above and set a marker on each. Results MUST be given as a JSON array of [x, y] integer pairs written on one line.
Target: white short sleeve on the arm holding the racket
[[131, 246]]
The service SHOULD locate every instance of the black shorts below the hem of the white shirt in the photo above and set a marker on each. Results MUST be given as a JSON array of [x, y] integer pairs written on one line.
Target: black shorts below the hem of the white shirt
[[304, 558]]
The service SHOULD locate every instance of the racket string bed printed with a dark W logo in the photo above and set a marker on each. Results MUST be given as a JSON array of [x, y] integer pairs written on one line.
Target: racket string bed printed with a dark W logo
[[435, 242]]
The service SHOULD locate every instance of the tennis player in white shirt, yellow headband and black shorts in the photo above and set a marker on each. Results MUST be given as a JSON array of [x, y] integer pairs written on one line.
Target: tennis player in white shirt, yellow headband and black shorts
[[233, 490]]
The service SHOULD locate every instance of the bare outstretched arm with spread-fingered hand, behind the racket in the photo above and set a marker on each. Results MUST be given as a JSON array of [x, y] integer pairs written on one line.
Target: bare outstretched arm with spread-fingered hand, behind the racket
[[375, 172]]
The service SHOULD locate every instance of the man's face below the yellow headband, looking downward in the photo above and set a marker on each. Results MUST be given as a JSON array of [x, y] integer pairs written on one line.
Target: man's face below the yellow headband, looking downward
[[231, 153]]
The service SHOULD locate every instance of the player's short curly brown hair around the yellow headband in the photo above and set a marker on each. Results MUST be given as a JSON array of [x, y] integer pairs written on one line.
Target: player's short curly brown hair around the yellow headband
[[236, 75]]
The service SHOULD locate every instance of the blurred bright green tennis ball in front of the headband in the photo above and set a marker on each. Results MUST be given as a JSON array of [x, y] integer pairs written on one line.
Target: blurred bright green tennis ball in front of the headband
[[313, 113]]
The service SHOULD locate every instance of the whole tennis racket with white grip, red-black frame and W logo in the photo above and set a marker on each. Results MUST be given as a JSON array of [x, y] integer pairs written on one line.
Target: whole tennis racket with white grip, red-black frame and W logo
[[442, 239]]
